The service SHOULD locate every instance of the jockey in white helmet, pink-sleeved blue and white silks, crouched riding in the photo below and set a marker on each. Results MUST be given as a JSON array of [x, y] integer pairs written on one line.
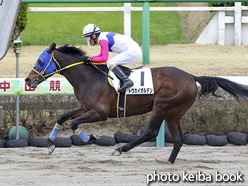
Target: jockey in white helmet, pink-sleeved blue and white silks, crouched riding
[[128, 51]]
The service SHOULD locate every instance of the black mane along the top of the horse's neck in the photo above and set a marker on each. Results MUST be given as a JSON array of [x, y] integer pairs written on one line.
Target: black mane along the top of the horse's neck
[[74, 51]]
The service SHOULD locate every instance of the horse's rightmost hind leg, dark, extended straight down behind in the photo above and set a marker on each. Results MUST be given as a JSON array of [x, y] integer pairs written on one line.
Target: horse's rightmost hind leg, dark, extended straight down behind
[[177, 135]]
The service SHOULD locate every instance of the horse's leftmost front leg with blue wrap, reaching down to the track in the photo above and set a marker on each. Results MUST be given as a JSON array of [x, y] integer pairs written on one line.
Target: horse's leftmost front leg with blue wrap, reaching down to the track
[[59, 122]]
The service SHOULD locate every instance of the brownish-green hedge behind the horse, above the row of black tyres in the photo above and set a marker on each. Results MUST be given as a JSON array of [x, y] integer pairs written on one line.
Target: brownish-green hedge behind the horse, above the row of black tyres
[[39, 114]]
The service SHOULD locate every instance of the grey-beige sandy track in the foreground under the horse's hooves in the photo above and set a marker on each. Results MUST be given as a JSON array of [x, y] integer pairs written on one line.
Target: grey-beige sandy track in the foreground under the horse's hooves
[[94, 166]]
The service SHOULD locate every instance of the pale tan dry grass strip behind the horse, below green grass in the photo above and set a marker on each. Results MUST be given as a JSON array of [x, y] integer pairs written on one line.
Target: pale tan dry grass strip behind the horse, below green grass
[[212, 60]]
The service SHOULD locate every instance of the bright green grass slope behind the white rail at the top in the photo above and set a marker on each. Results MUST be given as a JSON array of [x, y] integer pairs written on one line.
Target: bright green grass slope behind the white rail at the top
[[43, 28]]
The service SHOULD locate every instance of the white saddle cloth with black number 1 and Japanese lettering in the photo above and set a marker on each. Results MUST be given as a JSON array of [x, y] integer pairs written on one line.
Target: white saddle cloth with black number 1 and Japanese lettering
[[142, 79]]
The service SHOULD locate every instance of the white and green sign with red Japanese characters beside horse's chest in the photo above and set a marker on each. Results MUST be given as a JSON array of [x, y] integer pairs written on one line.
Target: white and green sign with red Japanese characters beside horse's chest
[[53, 86]]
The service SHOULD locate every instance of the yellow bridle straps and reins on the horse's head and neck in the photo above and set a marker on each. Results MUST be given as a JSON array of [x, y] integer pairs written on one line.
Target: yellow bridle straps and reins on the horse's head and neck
[[57, 71]]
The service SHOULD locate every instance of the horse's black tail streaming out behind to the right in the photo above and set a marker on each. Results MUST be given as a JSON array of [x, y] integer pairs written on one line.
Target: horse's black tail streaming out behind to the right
[[210, 84]]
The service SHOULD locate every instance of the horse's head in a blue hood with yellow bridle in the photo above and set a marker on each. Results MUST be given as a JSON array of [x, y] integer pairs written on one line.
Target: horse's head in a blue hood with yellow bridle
[[44, 67]]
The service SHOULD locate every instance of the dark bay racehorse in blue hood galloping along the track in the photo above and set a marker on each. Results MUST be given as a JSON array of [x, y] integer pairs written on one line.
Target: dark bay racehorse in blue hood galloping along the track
[[174, 93]]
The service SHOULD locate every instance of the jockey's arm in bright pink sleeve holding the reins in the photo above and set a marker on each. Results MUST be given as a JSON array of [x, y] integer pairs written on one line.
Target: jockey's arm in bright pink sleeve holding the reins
[[103, 56]]
